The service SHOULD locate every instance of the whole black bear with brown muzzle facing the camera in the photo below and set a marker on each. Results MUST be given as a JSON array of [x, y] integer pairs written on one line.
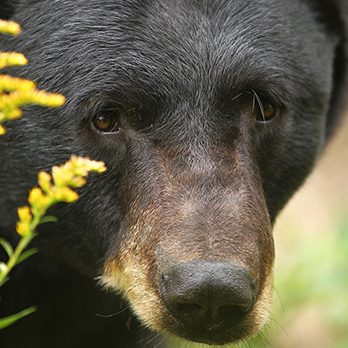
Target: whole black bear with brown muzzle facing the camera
[[209, 114]]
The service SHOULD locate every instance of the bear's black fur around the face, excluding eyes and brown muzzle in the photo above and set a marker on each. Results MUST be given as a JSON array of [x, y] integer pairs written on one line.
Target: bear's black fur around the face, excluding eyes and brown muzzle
[[181, 63]]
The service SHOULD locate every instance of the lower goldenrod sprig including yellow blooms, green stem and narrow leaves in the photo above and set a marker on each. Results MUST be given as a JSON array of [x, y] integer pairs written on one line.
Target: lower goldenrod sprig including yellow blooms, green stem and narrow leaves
[[52, 188]]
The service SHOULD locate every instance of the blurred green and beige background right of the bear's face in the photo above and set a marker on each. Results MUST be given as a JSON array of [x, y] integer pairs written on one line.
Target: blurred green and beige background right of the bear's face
[[310, 302]]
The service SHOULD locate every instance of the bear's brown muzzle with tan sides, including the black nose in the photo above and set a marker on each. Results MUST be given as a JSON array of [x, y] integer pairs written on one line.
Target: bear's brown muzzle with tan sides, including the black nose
[[195, 254]]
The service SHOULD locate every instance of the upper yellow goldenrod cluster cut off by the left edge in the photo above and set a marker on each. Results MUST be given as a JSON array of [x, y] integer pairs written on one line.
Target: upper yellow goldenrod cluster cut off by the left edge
[[17, 92]]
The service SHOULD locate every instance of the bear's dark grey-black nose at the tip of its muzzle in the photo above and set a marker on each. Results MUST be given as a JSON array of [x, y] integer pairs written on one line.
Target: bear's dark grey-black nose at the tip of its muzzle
[[207, 294]]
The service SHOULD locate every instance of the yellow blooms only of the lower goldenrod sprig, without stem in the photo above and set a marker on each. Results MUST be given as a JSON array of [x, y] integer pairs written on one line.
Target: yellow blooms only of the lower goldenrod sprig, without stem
[[55, 188]]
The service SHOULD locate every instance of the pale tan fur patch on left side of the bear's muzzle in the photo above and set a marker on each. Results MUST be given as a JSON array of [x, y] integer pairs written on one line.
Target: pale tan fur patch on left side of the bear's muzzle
[[133, 273]]
